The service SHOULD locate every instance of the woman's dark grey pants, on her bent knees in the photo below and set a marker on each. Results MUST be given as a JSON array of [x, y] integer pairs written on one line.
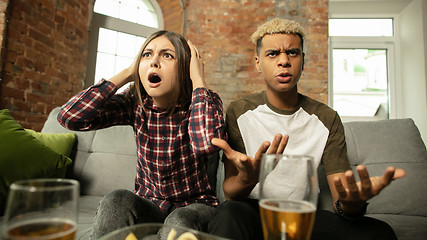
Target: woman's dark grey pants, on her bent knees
[[122, 208]]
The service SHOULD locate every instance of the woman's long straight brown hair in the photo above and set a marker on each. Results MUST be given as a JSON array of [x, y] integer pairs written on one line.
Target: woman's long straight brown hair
[[183, 57]]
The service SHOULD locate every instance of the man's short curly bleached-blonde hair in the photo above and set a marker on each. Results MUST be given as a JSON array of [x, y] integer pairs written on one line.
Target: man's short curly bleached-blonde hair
[[277, 25]]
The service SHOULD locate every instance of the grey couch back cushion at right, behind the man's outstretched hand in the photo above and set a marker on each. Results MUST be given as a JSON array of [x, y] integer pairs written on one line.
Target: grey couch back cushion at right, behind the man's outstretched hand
[[395, 142]]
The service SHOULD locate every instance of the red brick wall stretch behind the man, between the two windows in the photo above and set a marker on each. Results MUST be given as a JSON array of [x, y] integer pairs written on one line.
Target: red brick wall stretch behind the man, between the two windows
[[221, 30]]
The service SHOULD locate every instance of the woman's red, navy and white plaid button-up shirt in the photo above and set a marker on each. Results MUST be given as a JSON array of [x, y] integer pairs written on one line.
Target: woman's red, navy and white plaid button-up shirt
[[172, 150]]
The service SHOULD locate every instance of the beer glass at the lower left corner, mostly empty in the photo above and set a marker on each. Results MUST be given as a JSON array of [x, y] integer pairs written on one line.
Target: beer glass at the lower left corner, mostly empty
[[42, 209]]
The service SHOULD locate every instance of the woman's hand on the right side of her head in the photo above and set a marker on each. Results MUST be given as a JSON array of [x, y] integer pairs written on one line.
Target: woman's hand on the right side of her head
[[196, 67]]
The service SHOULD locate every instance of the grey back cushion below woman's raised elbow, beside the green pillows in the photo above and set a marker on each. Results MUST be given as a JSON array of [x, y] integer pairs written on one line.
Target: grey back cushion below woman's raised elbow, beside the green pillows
[[112, 149]]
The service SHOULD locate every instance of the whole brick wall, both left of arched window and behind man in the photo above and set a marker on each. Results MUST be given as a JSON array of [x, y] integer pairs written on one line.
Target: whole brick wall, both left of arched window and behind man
[[45, 48]]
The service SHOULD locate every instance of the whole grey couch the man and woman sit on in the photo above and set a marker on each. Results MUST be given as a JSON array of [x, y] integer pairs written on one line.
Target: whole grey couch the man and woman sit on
[[105, 160]]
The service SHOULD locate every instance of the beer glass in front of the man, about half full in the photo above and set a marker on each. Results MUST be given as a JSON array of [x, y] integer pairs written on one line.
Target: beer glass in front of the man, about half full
[[288, 191]]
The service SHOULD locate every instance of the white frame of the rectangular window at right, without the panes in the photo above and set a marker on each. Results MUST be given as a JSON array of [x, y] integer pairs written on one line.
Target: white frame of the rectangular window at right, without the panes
[[390, 43]]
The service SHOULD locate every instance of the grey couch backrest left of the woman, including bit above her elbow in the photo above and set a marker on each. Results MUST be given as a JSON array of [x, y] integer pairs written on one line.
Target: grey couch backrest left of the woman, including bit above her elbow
[[103, 160]]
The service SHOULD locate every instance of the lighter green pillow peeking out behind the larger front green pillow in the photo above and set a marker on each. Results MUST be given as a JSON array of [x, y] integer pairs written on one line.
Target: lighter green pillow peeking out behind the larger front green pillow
[[59, 142]]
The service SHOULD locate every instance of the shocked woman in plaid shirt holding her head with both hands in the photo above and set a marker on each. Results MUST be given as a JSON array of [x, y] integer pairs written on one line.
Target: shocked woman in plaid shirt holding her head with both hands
[[174, 117]]
